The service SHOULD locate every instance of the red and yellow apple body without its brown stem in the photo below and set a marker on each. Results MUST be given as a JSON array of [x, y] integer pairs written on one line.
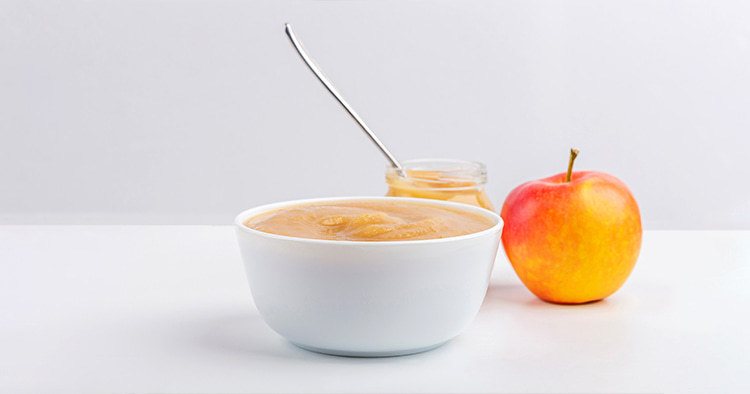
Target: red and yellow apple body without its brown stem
[[572, 242]]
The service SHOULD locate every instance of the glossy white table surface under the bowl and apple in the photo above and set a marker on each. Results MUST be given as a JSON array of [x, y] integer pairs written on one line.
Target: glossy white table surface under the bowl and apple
[[167, 309]]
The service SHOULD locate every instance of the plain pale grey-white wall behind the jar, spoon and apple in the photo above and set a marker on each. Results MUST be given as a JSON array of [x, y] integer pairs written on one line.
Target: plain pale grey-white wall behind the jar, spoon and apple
[[190, 111]]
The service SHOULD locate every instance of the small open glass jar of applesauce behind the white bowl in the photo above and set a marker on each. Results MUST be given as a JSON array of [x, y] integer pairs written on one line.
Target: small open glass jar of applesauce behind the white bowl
[[441, 179]]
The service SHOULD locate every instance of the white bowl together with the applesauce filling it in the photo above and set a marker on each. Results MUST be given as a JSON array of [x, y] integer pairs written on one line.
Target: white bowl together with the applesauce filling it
[[355, 292]]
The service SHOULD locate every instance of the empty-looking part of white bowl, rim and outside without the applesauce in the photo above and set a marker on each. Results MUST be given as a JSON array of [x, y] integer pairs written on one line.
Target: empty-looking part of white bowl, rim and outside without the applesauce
[[368, 299]]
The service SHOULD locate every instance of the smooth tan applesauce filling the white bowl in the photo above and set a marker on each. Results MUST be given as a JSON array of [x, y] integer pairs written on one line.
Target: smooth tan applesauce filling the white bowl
[[369, 221]]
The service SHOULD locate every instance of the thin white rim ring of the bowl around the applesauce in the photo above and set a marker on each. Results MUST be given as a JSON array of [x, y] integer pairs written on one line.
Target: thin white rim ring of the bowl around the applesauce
[[244, 215]]
